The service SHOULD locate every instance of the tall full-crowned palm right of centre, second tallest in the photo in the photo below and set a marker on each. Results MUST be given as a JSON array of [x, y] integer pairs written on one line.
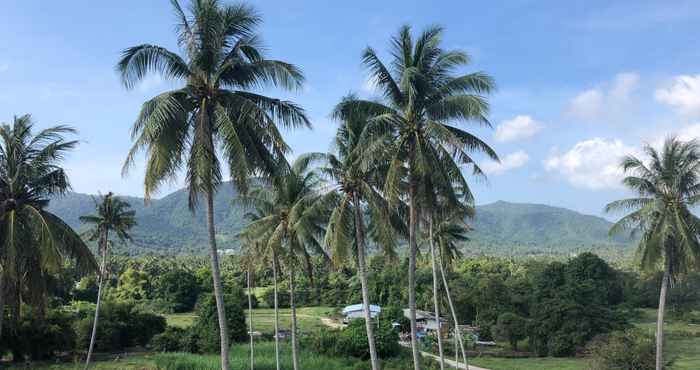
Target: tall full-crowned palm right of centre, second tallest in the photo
[[422, 98]]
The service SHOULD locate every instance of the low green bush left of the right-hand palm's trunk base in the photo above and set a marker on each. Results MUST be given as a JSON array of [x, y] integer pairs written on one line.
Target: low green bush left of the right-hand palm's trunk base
[[631, 349]]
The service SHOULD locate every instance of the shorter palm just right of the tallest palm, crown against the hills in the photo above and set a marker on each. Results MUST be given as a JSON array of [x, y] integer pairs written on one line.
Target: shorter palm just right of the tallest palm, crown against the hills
[[294, 226]]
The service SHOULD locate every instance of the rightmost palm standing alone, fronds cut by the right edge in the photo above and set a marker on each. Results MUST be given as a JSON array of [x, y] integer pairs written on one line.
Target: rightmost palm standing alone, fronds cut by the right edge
[[668, 185]]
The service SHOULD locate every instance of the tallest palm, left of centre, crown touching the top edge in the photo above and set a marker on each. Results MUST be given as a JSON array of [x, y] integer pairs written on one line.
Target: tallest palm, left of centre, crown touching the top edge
[[214, 115]]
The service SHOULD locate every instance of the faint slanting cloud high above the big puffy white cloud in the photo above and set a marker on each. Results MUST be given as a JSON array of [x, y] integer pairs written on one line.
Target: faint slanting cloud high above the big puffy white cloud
[[596, 103]]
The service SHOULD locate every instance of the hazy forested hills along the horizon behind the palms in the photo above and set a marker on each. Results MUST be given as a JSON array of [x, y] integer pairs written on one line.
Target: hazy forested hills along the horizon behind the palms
[[501, 228]]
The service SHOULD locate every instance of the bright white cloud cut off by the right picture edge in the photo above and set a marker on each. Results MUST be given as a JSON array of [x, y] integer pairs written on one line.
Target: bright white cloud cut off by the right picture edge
[[683, 94]]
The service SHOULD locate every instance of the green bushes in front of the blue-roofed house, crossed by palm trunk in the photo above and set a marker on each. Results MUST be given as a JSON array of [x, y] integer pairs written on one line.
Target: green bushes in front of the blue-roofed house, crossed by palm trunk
[[352, 341]]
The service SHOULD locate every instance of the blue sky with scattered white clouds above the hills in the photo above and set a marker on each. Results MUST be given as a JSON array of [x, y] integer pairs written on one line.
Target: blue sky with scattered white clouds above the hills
[[580, 83]]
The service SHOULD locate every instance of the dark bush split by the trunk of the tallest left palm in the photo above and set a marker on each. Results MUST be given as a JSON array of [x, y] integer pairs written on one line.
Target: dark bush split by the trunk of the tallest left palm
[[205, 330]]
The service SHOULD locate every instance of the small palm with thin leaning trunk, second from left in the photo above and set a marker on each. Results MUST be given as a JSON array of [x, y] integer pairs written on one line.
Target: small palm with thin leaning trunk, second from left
[[113, 214]]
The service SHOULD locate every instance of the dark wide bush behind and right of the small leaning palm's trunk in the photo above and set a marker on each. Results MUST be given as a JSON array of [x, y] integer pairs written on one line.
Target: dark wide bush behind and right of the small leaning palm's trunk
[[120, 326]]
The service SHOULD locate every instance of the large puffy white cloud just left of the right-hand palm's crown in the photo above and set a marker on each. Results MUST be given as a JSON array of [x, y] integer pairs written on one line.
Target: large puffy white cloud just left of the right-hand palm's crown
[[591, 164]]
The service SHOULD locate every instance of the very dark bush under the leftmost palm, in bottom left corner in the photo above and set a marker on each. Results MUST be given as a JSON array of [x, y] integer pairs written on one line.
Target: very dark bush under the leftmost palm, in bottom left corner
[[38, 338]]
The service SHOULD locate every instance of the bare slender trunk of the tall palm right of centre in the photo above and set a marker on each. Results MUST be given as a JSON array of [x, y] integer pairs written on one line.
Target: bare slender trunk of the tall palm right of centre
[[413, 250]]
